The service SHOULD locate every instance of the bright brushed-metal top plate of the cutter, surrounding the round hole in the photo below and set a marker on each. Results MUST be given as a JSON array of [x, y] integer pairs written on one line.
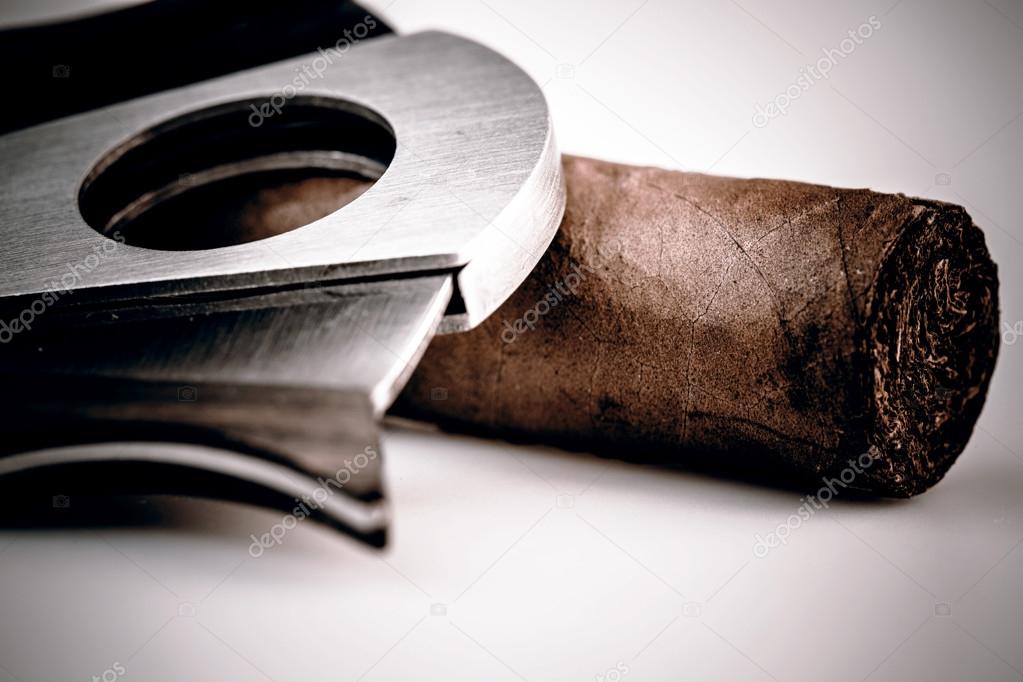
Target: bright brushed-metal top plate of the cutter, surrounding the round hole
[[474, 190]]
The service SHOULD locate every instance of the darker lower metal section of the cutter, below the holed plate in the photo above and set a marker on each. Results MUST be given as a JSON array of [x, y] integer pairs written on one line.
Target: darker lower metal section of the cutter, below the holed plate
[[273, 394]]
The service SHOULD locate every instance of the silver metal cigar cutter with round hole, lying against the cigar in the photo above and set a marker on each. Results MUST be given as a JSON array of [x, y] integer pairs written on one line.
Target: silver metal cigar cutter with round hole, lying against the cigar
[[151, 345]]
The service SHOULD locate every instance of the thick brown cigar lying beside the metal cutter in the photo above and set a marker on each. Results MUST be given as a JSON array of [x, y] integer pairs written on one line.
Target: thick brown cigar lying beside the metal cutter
[[753, 327]]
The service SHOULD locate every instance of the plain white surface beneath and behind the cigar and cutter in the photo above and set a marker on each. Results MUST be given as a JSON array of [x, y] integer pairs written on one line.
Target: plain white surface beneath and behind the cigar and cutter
[[647, 569]]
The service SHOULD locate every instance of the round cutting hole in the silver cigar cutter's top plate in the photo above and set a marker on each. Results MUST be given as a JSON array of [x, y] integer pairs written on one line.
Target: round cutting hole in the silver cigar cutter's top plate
[[211, 178]]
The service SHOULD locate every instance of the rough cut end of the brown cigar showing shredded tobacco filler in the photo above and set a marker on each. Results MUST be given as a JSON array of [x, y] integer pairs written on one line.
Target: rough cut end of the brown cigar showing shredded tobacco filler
[[932, 339]]
